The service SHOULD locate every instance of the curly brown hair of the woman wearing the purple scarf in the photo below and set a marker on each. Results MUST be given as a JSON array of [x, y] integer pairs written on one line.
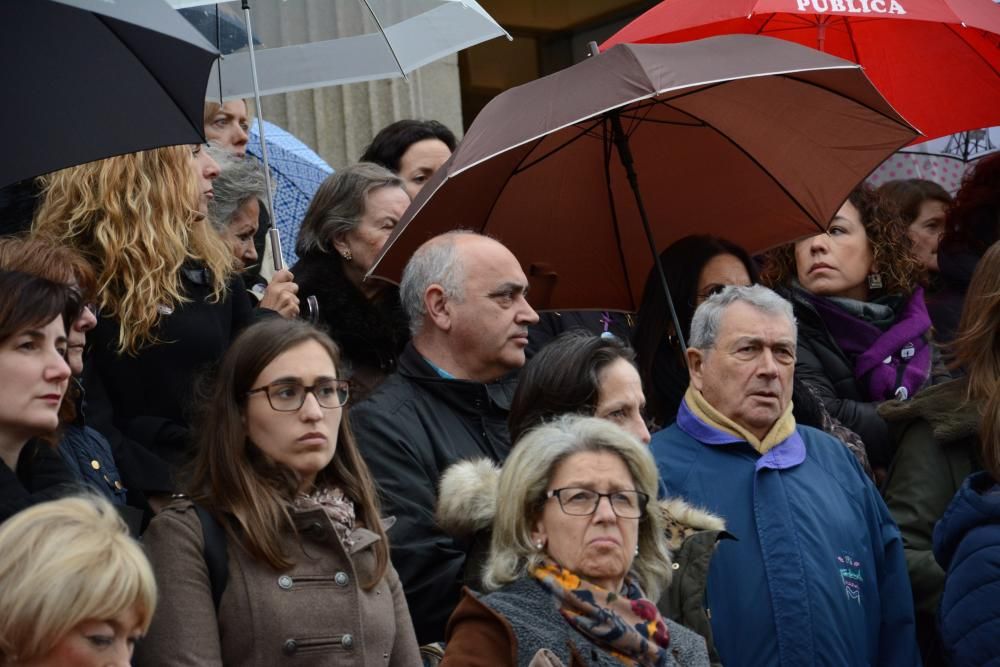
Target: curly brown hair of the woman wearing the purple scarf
[[886, 232]]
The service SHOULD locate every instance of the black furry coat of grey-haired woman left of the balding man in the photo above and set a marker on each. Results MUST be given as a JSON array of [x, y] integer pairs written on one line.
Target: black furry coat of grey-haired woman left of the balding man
[[371, 334]]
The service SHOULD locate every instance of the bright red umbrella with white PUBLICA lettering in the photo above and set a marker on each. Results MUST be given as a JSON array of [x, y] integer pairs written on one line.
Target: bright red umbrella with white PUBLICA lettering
[[936, 61]]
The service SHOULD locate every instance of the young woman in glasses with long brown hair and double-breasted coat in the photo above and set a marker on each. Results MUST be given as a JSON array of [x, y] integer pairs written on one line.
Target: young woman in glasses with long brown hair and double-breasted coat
[[309, 576]]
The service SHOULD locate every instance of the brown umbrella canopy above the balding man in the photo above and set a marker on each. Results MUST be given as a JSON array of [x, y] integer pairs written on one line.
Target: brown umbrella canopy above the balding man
[[750, 138]]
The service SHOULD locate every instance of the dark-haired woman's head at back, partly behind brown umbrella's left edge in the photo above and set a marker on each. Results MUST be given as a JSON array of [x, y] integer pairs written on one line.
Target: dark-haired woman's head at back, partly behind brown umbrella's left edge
[[412, 149]]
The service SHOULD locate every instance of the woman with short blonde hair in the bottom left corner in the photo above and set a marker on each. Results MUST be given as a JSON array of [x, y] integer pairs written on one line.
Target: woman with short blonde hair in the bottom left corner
[[75, 589]]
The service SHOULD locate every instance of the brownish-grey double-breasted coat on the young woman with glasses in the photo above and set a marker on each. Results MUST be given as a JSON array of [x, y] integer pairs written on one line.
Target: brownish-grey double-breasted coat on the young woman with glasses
[[316, 613]]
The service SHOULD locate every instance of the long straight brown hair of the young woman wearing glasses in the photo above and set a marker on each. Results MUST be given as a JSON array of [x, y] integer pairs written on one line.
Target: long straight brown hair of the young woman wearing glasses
[[231, 476]]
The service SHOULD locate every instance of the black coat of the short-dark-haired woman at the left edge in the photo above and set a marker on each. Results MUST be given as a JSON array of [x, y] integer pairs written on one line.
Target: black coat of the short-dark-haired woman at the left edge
[[40, 475]]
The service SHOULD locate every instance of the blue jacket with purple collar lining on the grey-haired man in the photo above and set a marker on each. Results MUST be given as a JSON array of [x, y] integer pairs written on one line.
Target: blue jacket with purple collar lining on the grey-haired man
[[816, 575]]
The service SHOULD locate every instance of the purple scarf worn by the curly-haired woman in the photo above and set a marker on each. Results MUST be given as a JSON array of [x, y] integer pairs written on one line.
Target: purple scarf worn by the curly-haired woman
[[894, 363]]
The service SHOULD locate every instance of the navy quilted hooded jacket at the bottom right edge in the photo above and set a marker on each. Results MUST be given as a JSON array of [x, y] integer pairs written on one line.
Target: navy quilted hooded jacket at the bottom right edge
[[967, 546]]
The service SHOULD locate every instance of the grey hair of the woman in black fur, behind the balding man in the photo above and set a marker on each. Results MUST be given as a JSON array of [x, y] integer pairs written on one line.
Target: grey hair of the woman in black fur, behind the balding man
[[339, 203]]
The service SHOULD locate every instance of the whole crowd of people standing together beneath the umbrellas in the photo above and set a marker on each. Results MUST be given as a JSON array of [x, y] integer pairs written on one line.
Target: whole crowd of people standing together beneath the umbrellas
[[197, 469]]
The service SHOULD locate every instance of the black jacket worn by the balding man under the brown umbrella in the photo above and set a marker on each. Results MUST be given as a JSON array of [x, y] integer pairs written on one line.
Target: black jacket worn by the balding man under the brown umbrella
[[410, 431]]
